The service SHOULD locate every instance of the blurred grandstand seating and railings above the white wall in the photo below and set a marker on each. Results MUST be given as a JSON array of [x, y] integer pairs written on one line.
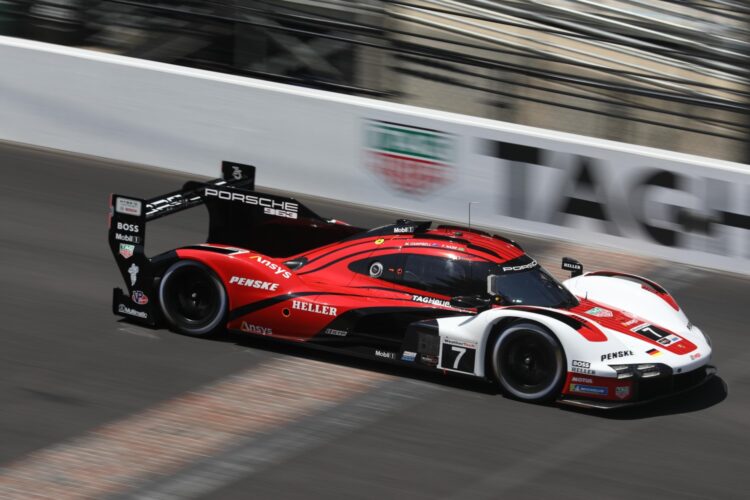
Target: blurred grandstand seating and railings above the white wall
[[670, 74]]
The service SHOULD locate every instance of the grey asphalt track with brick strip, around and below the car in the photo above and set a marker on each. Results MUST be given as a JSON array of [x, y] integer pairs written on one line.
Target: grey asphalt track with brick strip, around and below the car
[[79, 388]]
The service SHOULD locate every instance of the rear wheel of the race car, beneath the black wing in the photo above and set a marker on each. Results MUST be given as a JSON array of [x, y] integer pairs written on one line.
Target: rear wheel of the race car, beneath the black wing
[[192, 299]]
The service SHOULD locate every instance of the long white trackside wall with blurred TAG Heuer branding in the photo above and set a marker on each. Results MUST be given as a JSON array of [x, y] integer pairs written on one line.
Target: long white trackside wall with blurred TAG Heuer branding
[[419, 161]]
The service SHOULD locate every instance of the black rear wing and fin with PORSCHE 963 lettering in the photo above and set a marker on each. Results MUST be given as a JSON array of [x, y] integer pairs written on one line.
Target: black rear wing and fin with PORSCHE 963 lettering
[[270, 224]]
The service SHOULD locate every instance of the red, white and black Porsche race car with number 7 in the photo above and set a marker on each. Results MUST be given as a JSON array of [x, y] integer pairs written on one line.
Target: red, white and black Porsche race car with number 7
[[448, 299]]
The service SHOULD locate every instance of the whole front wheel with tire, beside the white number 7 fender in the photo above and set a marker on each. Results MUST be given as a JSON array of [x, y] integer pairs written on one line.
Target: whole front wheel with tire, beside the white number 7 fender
[[529, 363]]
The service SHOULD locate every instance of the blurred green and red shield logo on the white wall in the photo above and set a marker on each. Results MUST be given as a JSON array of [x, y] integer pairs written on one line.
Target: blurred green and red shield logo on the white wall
[[410, 159]]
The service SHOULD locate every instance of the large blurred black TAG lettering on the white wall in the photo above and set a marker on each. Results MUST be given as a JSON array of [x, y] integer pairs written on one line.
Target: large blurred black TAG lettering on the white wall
[[655, 203]]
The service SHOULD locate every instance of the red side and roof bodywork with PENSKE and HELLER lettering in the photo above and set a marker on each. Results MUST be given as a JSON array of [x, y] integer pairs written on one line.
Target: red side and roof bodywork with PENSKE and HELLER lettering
[[268, 298]]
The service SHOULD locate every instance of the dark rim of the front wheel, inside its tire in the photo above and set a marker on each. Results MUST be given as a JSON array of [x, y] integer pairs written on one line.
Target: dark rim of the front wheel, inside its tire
[[528, 362]]
